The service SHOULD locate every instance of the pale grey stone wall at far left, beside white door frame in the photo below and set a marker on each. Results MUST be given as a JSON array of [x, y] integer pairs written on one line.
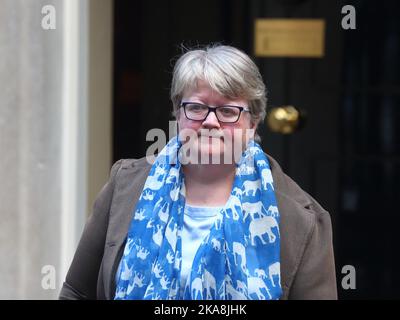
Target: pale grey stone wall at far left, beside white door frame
[[31, 78]]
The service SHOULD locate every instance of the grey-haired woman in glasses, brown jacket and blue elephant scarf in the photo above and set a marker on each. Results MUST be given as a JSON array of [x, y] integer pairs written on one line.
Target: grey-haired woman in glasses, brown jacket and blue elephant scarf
[[212, 216]]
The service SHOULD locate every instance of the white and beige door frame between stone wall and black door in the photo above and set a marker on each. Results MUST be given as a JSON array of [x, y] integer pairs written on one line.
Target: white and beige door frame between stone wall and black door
[[86, 119]]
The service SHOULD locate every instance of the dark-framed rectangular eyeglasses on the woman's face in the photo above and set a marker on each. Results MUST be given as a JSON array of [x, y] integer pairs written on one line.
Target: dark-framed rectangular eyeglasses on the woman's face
[[199, 112]]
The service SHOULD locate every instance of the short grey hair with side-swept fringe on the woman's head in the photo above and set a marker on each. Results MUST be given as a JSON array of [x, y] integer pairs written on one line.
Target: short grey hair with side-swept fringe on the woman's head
[[228, 70]]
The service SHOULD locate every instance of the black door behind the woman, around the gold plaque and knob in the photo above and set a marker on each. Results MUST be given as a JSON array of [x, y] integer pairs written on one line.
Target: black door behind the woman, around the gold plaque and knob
[[346, 155]]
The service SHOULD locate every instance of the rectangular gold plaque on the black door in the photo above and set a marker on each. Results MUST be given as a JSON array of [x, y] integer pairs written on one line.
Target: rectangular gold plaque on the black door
[[298, 38]]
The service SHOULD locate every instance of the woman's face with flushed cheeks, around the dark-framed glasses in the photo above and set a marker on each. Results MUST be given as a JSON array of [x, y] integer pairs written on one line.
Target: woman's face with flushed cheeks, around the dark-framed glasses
[[212, 141]]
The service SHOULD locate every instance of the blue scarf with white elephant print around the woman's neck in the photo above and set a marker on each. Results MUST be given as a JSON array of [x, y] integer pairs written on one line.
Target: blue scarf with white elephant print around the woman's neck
[[238, 260]]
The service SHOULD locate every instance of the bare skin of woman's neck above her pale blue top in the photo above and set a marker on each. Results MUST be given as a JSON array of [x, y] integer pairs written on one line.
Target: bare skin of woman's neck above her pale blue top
[[208, 185]]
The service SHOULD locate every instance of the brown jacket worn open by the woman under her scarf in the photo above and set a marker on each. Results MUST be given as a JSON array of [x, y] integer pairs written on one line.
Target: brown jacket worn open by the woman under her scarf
[[307, 260]]
